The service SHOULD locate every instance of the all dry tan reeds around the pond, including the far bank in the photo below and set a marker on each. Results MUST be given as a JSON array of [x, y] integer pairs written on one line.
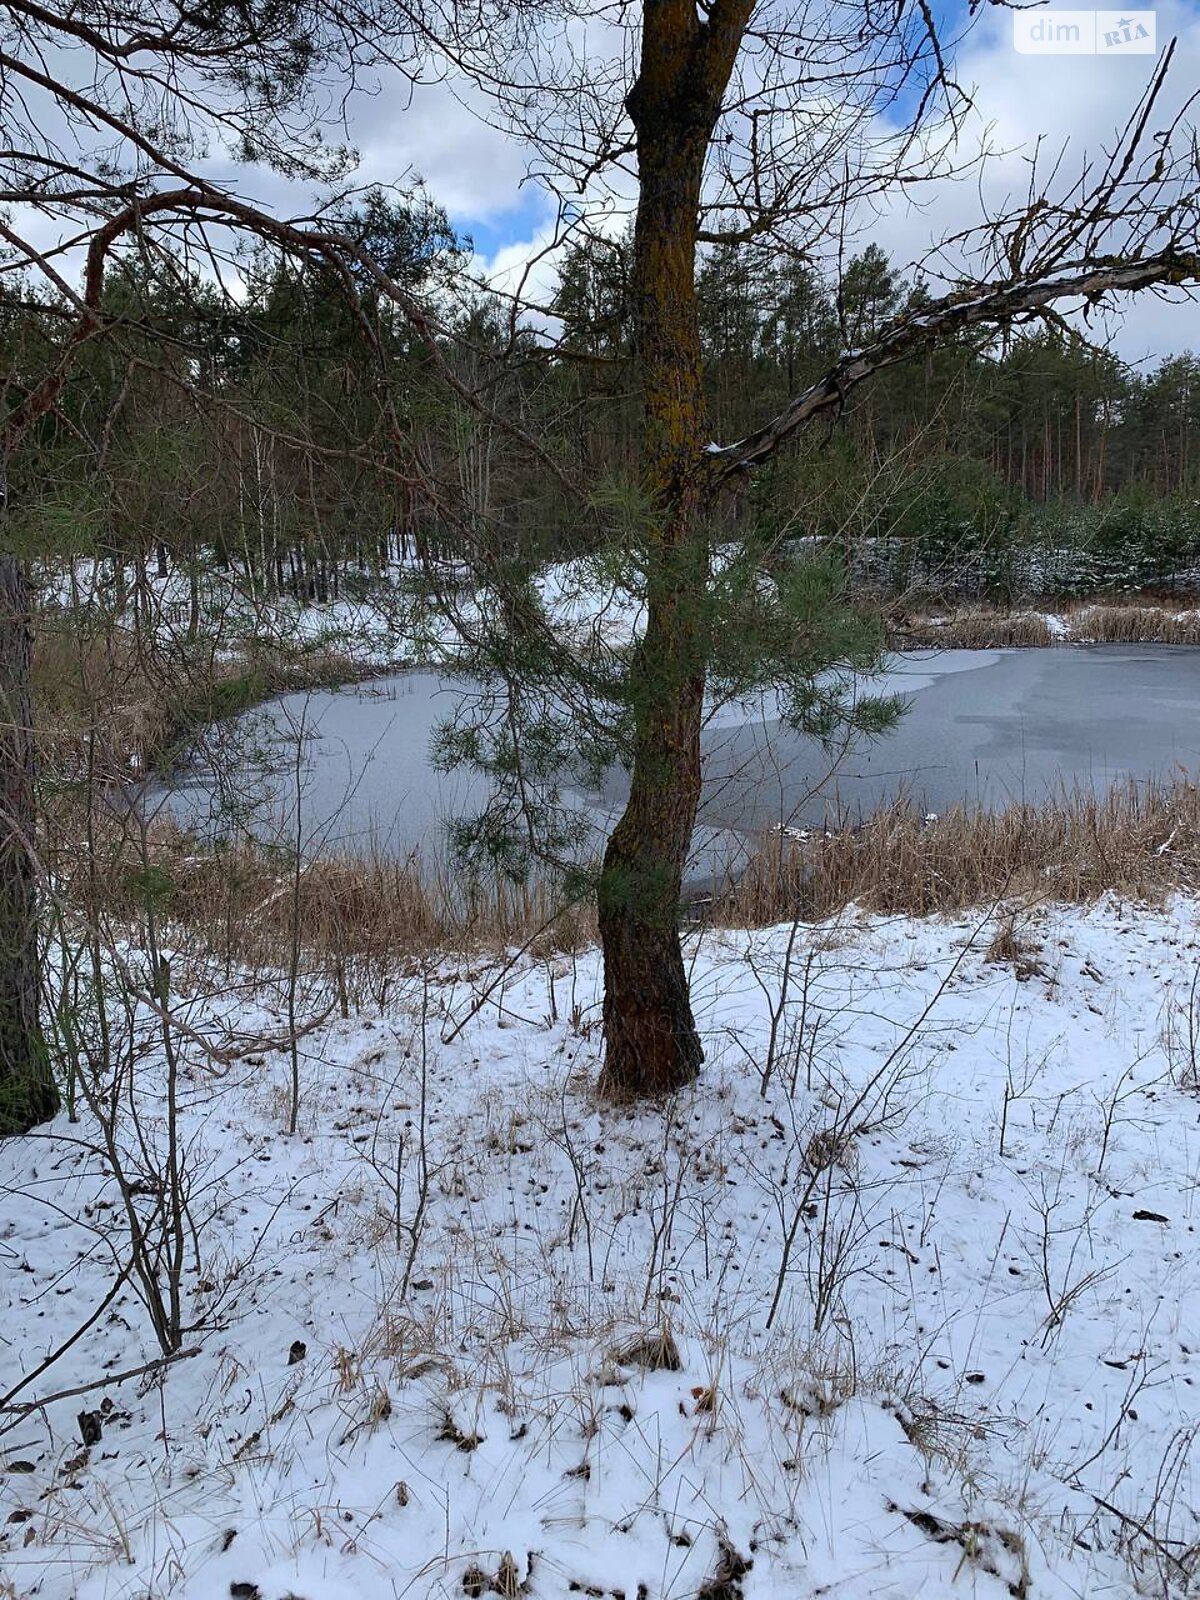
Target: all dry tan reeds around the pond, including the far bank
[[247, 905]]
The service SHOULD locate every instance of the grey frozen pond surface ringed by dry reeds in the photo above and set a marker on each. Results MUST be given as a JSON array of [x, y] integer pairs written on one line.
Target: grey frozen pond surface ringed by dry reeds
[[350, 769]]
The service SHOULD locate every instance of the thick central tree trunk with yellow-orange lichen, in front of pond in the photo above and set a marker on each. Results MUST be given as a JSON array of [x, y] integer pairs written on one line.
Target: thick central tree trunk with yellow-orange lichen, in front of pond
[[650, 1036]]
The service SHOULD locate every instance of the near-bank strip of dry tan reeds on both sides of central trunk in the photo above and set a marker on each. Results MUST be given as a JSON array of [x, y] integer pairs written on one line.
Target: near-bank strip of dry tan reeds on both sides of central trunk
[[1138, 841]]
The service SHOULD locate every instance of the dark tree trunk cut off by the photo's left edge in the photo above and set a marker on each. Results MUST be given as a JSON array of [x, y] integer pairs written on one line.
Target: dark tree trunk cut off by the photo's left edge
[[28, 1094]]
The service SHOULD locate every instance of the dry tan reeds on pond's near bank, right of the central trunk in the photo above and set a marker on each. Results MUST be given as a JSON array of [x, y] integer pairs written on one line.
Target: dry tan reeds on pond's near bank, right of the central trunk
[[1138, 842]]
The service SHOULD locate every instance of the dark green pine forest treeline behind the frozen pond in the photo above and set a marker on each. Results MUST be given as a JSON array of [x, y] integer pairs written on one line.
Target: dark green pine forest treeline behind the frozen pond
[[306, 442]]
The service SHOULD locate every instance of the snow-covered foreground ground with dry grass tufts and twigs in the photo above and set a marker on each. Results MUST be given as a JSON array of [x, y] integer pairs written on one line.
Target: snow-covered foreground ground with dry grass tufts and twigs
[[932, 1286]]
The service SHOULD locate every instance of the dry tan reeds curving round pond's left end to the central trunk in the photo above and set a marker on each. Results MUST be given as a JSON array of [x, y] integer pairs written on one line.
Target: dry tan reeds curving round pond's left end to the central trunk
[[111, 708]]
